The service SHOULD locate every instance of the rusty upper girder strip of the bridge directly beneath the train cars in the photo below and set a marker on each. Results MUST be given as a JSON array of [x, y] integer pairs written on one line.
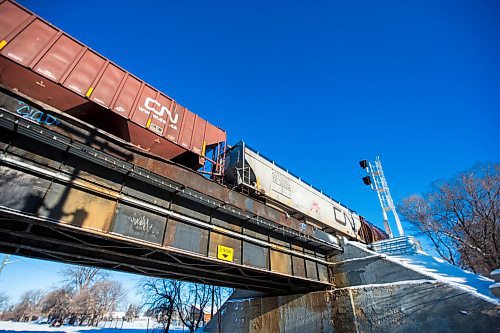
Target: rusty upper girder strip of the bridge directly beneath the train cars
[[249, 208]]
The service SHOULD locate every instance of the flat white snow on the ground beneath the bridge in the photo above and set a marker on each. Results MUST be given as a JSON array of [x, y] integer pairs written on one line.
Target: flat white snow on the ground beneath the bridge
[[106, 327]]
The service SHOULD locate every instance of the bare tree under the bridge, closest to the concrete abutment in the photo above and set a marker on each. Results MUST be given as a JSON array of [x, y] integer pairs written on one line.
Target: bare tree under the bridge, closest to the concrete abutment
[[191, 304]]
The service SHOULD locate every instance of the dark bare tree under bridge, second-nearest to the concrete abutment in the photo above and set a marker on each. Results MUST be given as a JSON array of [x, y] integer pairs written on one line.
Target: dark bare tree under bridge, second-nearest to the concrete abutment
[[159, 296]]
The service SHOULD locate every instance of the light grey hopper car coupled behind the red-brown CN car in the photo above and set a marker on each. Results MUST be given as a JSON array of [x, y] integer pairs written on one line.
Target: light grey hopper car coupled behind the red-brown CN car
[[256, 175]]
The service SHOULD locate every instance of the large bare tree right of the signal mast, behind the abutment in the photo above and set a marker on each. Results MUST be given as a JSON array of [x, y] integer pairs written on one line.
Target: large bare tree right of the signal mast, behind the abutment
[[460, 218]]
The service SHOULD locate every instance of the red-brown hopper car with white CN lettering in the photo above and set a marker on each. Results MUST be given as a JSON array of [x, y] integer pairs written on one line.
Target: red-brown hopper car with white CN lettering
[[42, 62]]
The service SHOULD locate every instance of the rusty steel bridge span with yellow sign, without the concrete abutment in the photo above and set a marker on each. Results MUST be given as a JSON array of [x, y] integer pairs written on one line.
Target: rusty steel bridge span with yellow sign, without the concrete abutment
[[72, 193]]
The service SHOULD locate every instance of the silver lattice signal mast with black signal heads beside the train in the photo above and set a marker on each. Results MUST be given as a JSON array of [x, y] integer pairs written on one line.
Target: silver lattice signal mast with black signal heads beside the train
[[379, 185]]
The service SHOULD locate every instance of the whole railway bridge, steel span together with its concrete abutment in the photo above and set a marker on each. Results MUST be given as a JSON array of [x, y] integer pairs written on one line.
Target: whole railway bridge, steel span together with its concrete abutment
[[73, 194]]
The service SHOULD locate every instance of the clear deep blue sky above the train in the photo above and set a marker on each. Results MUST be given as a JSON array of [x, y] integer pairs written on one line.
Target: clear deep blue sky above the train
[[318, 85]]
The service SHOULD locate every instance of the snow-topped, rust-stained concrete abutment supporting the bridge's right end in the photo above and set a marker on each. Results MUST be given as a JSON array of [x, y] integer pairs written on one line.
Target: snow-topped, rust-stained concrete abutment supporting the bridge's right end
[[374, 294]]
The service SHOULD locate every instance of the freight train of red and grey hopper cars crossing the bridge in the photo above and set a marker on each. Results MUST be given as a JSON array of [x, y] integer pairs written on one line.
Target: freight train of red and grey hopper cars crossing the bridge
[[42, 63]]
